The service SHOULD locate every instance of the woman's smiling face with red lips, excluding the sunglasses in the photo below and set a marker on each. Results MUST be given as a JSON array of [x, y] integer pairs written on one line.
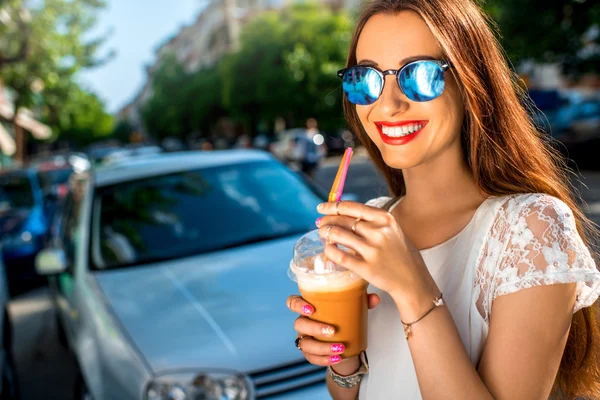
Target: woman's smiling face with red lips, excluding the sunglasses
[[387, 41]]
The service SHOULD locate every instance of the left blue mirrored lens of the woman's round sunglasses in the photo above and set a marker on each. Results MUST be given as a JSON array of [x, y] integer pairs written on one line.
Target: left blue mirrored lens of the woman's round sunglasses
[[362, 85]]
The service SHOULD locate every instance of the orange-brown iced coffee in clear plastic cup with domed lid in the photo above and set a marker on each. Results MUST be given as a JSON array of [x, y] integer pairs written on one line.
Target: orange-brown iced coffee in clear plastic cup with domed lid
[[338, 295]]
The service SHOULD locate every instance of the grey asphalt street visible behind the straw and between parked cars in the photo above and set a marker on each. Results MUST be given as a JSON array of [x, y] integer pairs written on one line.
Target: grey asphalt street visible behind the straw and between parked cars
[[46, 370]]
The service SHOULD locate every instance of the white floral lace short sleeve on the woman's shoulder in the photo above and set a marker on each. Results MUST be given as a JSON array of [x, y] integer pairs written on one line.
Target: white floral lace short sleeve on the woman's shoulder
[[541, 246]]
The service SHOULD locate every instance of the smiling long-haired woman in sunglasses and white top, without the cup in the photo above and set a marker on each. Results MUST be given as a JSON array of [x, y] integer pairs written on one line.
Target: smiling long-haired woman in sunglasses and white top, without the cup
[[483, 284]]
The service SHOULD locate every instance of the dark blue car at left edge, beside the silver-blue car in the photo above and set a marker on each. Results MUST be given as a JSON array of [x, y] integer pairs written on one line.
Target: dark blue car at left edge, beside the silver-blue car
[[23, 224]]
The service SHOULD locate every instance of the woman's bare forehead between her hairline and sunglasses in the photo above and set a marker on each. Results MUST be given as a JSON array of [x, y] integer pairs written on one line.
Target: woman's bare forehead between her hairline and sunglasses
[[389, 38]]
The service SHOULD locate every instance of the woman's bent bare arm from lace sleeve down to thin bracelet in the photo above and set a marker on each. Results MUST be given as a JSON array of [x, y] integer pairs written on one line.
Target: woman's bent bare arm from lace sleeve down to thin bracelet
[[527, 337]]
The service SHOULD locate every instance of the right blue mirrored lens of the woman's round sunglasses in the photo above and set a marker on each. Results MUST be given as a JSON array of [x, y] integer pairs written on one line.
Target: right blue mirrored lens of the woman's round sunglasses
[[422, 81]]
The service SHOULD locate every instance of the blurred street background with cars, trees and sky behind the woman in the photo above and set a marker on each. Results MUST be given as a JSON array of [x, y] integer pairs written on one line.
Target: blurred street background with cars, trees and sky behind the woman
[[129, 128]]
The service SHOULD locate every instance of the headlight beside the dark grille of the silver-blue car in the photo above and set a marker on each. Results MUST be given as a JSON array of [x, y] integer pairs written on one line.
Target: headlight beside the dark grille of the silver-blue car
[[200, 386]]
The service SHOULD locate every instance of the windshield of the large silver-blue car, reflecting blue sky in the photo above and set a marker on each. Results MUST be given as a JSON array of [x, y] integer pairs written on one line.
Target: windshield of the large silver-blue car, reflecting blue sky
[[198, 211]]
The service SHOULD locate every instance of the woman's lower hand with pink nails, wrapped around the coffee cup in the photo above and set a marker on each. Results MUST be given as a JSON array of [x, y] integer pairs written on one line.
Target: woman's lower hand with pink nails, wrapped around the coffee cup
[[316, 352]]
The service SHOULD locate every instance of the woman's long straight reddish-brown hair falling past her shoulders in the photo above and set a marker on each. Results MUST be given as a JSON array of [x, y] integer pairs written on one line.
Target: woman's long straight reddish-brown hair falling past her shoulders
[[502, 147]]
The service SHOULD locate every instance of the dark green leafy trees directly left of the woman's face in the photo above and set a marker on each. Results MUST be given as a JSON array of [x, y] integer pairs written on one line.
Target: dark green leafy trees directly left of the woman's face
[[285, 66]]
